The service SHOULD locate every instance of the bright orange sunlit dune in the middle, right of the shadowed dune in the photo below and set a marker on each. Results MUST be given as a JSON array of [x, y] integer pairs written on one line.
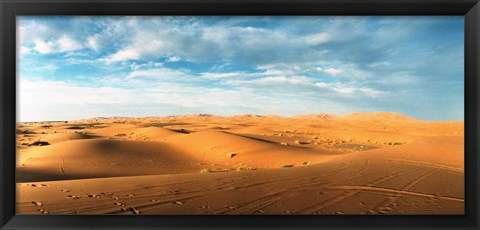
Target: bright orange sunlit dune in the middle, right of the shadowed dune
[[249, 152]]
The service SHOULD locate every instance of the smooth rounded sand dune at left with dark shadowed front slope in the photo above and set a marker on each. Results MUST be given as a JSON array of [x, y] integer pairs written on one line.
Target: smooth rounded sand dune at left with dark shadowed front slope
[[102, 158]]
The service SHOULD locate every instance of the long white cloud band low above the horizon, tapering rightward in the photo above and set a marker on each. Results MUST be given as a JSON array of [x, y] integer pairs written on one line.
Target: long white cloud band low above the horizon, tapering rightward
[[36, 98]]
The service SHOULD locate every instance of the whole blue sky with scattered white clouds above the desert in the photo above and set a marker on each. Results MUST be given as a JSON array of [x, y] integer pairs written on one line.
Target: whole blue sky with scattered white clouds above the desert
[[81, 67]]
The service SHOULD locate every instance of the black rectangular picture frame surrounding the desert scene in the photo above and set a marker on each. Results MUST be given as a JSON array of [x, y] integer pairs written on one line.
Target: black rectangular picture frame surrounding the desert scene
[[9, 9]]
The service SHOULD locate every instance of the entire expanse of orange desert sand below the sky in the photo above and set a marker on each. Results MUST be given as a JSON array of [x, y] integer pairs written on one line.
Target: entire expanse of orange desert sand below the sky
[[359, 163]]
